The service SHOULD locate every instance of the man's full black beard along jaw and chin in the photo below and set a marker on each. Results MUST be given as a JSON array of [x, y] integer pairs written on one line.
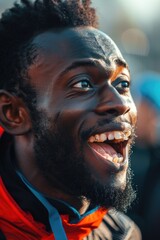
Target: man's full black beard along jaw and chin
[[67, 170]]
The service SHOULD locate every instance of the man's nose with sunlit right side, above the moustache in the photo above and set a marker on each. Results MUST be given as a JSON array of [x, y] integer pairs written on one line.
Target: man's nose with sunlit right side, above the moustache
[[112, 102]]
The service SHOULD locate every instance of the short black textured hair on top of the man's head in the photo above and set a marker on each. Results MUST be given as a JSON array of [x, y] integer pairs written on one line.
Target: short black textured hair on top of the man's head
[[19, 24]]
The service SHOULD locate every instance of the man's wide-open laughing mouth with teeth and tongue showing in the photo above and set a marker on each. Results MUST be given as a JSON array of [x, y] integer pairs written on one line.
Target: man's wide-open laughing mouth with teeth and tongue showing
[[111, 146]]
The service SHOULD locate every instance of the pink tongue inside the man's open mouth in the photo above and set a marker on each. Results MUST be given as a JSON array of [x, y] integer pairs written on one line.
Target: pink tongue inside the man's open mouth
[[103, 149]]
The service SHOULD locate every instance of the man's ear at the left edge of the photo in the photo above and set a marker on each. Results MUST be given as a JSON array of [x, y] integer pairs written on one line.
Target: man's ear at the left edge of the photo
[[14, 116]]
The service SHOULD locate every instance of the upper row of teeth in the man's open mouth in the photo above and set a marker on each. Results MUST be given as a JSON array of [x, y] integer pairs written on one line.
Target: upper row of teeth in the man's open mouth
[[118, 135]]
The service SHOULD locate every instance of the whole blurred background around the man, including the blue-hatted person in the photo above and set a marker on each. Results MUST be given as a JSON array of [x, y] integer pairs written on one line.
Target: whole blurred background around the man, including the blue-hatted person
[[134, 25]]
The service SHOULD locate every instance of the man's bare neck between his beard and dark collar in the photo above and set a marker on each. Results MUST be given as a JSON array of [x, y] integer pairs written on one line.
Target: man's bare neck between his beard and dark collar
[[27, 165]]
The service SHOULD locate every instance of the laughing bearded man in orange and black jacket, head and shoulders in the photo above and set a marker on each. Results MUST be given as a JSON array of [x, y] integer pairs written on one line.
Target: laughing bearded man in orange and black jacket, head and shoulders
[[69, 119]]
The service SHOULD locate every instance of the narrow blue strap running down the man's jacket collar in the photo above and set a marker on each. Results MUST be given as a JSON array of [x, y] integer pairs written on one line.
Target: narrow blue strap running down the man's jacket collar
[[54, 217]]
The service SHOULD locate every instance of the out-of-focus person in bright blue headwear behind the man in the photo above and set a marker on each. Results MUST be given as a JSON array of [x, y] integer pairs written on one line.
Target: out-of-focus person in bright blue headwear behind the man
[[146, 155]]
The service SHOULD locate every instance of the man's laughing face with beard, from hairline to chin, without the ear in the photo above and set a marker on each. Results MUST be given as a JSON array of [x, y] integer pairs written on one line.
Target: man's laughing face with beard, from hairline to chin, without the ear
[[85, 114]]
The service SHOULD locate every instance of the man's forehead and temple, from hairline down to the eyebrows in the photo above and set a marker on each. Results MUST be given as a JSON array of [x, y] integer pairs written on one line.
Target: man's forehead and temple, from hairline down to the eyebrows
[[59, 51]]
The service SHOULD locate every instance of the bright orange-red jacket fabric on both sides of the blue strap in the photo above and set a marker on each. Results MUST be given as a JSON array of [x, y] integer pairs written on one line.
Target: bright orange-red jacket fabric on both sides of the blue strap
[[20, 225]]
